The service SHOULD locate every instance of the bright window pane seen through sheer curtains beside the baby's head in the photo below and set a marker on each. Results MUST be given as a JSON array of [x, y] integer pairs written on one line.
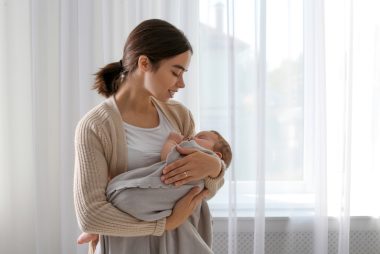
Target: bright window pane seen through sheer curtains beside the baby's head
[[287, 182]]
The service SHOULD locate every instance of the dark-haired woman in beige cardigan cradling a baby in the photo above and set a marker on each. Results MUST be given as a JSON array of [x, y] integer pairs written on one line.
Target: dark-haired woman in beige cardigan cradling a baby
[[128, 130]]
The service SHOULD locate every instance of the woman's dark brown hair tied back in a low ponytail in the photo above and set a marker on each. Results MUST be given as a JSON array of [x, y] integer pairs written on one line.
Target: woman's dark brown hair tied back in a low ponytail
[[154, 38]]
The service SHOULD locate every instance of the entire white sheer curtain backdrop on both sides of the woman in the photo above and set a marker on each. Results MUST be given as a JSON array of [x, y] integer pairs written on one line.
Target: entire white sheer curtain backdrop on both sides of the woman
[[294, 86]]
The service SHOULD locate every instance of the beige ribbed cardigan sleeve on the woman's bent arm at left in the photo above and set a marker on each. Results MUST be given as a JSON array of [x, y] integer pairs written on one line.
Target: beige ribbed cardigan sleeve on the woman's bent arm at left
[[94, 213]]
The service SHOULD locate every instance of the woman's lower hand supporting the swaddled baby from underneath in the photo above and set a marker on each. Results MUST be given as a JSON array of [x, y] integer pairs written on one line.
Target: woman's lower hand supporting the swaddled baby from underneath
[[185, 207]]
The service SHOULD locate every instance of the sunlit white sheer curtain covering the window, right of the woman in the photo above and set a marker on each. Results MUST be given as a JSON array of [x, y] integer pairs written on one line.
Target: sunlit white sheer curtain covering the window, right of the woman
[[295, 86]]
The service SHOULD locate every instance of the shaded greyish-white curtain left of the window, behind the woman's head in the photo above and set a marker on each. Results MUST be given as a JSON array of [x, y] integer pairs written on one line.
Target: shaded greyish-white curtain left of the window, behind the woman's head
[[49, 50]]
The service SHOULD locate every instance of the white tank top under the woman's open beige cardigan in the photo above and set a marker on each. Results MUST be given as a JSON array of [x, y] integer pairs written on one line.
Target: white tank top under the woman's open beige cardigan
[[144, 144]]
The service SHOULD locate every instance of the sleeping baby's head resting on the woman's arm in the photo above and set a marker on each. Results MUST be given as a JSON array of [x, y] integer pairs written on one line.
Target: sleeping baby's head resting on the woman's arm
[[215, 142]]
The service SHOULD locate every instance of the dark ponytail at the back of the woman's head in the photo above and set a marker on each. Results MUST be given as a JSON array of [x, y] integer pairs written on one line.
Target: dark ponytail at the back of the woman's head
[[109, 78]]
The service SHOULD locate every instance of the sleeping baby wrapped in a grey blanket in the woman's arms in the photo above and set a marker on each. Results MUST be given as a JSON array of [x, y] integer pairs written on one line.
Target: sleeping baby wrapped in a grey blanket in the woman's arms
[[124, 191]]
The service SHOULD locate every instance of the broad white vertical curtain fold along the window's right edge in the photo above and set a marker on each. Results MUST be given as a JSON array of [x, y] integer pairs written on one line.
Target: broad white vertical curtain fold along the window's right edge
[[315, 117]]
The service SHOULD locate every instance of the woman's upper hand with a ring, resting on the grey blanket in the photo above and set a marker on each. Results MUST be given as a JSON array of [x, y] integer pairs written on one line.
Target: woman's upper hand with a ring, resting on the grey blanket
[[196, 165]]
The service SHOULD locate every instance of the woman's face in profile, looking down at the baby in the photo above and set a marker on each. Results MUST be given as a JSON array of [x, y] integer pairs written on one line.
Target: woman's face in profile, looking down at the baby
[[168, 78]]
